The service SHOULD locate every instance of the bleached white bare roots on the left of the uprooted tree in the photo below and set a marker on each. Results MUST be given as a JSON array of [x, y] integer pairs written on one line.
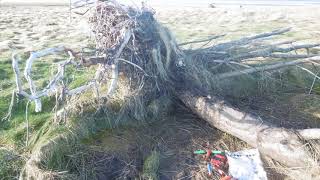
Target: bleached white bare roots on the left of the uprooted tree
[[55, 83]]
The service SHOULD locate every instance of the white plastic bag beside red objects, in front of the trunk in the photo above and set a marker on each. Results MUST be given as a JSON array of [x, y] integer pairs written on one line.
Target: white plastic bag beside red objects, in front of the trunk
[[246, 165]]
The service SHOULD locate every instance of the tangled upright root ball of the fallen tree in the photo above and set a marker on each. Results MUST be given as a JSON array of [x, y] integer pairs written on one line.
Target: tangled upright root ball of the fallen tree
[[131, 42]]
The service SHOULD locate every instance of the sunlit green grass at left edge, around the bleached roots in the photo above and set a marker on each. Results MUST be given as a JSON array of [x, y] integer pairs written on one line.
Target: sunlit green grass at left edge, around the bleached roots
[[13, 132]]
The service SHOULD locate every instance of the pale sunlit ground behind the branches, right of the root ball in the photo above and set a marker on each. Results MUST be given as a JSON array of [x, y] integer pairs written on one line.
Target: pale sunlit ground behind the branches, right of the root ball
[[195, 23]]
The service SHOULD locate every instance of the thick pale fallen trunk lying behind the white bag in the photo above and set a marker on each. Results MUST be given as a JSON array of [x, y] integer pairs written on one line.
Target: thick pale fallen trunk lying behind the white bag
[[286, 146]]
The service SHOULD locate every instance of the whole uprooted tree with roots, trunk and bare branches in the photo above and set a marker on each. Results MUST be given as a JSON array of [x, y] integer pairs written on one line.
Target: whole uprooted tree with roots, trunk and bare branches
[[132, 46]]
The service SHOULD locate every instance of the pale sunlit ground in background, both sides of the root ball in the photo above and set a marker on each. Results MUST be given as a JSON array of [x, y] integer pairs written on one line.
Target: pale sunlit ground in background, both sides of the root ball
[[33, 27]]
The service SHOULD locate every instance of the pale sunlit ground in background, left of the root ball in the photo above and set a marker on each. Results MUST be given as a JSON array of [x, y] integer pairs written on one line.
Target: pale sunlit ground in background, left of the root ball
[[25, 28]]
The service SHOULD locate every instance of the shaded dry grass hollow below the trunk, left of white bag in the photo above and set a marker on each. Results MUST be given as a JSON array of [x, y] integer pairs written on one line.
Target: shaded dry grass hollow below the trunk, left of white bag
[[173, 137]]
